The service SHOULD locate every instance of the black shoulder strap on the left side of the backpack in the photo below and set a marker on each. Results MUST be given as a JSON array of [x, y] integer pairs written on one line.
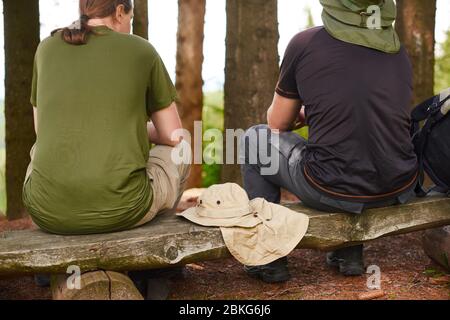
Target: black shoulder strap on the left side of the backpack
[[429, 110]]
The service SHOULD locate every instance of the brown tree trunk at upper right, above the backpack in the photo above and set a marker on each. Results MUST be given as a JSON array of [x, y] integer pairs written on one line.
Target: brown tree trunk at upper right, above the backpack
[[416, 28]]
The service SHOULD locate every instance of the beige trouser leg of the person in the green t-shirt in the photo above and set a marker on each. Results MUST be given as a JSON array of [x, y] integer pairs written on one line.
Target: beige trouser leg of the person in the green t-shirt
[[168, 181]]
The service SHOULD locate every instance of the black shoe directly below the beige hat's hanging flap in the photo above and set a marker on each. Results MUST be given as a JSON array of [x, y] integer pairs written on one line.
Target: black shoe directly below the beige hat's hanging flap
[[274, 272]]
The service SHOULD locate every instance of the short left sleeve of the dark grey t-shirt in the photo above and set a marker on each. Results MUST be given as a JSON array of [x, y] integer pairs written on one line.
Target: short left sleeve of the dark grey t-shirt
[[287, 83]]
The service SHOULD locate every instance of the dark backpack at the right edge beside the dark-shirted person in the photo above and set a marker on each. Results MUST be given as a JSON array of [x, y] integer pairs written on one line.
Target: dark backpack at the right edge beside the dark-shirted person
[[432, 142]]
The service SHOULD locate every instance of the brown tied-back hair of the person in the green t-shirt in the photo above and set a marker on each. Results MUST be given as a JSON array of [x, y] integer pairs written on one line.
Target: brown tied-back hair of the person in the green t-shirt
[[77, 33]]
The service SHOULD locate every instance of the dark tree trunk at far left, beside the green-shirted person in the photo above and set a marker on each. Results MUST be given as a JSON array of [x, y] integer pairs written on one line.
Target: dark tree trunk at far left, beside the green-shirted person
[[21, 21]]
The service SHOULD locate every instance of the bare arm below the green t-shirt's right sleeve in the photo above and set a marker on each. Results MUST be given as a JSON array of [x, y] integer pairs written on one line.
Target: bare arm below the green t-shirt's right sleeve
[[164, 123]]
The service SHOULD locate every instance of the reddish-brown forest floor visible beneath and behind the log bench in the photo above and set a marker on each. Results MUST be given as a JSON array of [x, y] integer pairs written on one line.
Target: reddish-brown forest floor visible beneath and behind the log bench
[[407, 274]]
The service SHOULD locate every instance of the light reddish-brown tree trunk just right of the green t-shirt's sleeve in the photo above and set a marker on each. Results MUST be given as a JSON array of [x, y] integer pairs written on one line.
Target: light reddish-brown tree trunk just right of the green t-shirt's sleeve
[[189, 82]]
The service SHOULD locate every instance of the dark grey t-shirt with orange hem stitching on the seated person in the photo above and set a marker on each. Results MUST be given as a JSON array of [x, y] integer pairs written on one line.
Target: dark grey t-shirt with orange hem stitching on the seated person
[[357, 103]]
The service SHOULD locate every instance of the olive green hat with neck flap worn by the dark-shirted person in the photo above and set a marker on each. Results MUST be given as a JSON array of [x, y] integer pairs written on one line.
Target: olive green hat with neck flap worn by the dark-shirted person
[[346, 20]]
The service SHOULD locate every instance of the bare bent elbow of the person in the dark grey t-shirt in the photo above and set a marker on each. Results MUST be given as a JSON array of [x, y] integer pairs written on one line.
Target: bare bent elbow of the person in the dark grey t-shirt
[[285, 114]]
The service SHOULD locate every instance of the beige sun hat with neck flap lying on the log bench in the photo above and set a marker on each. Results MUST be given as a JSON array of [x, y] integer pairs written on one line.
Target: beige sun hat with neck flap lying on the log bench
[[255, 232]]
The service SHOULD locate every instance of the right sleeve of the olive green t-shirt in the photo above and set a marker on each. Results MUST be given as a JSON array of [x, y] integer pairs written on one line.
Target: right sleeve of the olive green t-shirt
[[160, 90]]
